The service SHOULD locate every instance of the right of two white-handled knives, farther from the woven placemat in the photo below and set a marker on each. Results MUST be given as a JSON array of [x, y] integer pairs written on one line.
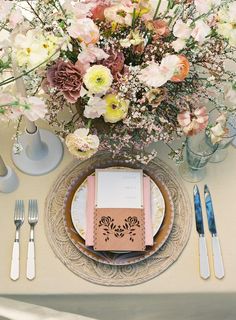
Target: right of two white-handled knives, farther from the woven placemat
[[217, 256]]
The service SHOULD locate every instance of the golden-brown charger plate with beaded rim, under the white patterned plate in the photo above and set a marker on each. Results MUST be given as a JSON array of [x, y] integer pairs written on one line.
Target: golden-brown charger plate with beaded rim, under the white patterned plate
[[110, 257]]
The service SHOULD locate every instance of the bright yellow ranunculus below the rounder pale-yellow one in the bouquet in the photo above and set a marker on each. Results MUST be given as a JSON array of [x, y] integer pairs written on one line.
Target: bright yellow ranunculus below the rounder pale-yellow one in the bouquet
[[116, 109]]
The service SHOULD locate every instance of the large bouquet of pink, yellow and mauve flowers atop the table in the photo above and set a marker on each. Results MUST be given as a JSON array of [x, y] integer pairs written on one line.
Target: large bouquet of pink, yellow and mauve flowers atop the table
[[119, 75]]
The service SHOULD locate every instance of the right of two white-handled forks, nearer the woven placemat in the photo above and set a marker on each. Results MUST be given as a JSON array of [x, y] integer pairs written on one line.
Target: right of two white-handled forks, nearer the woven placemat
[[32, 219]]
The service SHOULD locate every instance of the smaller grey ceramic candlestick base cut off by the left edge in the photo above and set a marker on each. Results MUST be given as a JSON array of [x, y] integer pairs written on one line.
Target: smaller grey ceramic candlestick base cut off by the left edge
[[8, 179]]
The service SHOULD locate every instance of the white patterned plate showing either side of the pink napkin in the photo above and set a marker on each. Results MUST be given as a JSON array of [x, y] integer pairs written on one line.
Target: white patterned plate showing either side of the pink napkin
[[78, 208]]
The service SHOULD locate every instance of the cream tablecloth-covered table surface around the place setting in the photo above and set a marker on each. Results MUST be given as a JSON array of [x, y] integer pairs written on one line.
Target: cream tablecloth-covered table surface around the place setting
[[54, 278]]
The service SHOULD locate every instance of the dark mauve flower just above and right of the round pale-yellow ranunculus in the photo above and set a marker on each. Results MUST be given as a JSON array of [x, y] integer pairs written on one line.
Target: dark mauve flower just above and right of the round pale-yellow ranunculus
[[115, 62]]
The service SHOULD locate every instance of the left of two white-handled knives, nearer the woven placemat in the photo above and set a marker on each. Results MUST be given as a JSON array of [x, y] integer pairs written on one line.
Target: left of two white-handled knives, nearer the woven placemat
[[204, 261]]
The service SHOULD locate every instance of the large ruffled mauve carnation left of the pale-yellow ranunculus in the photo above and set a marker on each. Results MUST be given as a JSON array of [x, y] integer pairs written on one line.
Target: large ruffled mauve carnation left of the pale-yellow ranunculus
[[65, 77]]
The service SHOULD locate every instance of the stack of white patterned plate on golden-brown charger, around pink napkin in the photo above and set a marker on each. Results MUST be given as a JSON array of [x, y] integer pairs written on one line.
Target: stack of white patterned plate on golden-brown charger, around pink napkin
[[162, 210]]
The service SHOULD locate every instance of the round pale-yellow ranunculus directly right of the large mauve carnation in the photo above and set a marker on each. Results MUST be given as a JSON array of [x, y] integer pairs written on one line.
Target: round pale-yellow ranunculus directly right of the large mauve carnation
[[98, 79]]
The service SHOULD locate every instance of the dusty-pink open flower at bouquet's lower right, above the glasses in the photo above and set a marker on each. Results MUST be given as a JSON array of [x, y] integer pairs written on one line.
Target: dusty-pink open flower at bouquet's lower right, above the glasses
[[193, 122]]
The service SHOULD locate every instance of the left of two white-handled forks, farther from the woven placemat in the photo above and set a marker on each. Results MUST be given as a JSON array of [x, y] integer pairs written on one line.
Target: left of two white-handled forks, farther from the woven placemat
[[18, 220]]
